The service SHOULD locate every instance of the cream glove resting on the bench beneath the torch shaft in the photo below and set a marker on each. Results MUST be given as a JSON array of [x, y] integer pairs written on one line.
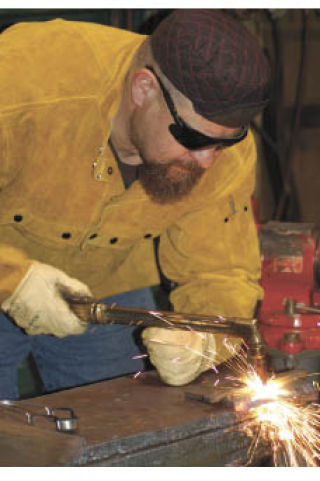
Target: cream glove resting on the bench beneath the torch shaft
[[181, 356]]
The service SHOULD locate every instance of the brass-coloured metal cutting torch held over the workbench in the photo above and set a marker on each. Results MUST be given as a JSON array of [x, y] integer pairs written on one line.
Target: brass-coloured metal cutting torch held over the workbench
[[247, 329]]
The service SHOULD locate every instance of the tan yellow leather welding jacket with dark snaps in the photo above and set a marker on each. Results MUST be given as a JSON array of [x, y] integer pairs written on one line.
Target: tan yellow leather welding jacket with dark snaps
[[62, 198]]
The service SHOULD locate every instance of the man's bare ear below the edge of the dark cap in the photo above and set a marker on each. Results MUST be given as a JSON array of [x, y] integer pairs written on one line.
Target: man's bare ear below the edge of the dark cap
[[143, 86]]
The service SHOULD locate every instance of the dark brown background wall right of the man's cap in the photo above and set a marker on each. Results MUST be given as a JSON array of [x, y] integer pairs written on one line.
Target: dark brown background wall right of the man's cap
[[288, 183]]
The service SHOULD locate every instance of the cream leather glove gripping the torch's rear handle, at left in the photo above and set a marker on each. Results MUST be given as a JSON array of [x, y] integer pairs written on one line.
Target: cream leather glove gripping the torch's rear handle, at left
[[38, 304]]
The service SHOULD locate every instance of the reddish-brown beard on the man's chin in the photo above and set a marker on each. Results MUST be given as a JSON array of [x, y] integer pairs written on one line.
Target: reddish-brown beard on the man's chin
[[171, 182]]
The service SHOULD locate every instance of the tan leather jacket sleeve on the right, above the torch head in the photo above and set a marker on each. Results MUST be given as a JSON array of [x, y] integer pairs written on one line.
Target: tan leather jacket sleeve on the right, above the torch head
[[212, 253]]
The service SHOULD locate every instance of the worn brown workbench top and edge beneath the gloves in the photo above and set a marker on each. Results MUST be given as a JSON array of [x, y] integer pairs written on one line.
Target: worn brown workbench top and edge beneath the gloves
[[128, 421]]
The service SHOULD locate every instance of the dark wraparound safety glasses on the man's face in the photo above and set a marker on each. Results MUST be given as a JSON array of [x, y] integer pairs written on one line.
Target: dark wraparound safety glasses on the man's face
[[188, 137]]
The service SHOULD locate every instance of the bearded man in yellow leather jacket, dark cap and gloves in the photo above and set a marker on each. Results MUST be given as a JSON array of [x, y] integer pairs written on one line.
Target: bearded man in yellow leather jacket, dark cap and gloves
[[110, 139]]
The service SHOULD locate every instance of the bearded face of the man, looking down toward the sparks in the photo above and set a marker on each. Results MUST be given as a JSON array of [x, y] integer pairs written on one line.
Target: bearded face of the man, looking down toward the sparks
[[173, 159]]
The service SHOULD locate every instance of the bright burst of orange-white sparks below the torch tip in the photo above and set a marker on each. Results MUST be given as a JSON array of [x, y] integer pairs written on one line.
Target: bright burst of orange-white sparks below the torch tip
[[291, 429]]
